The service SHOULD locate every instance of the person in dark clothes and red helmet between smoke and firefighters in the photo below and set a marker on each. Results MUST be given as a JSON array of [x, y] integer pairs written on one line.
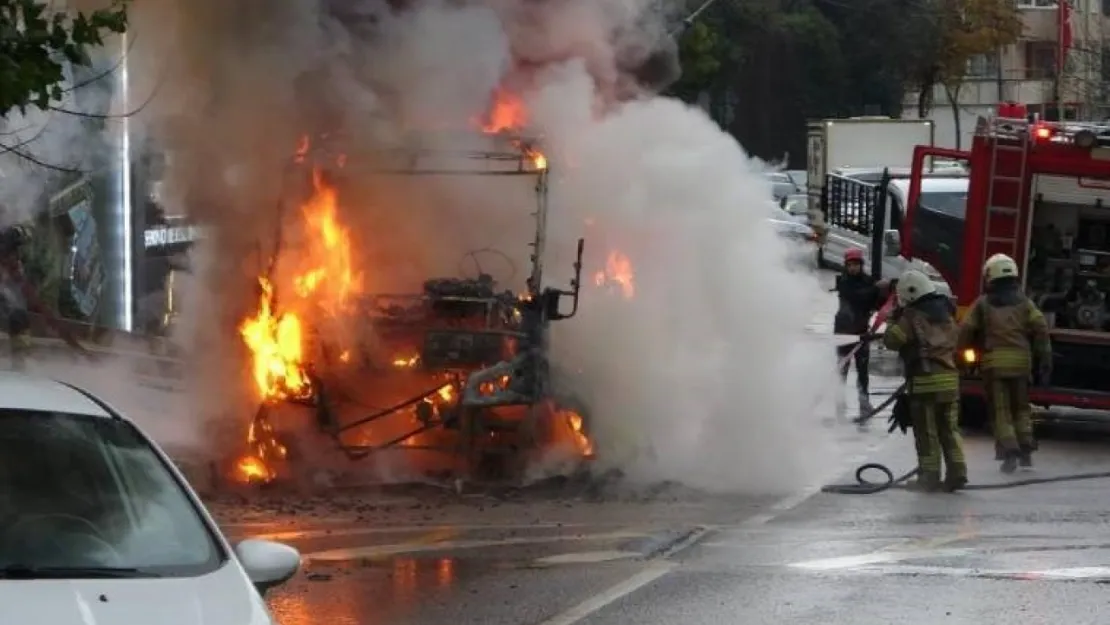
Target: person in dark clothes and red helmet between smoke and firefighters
[[860, 298]]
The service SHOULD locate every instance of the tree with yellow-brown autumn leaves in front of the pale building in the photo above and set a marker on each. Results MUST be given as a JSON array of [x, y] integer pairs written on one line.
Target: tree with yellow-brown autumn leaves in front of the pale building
[[967, 29]]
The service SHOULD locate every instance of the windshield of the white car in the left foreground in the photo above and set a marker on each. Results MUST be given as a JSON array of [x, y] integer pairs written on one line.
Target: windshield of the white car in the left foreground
[[89, 497]]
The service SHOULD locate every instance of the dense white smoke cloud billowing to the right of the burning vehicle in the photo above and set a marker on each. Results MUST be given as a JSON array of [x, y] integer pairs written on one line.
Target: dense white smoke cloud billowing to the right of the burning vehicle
[[705, 376]]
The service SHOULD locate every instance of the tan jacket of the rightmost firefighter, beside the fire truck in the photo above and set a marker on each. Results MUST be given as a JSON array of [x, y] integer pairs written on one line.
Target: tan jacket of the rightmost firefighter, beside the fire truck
[[1010, 330]]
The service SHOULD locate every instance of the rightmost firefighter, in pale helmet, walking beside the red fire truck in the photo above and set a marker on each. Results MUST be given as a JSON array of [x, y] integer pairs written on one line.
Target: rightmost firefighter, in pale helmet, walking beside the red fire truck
[[1012, 335]]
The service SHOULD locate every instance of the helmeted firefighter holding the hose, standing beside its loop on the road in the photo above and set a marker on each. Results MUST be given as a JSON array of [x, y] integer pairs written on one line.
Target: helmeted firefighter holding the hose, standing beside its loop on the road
[[924, 332]]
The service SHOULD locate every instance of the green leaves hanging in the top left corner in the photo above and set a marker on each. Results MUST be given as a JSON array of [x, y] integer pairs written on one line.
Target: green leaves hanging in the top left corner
[[35, 44]]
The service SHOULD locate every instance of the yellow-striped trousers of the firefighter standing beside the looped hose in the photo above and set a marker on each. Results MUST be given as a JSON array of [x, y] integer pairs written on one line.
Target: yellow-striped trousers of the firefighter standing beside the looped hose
[[937, 437]]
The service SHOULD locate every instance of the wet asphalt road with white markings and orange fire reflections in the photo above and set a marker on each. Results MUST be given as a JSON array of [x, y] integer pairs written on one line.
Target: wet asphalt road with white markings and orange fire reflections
[[1034, 555]]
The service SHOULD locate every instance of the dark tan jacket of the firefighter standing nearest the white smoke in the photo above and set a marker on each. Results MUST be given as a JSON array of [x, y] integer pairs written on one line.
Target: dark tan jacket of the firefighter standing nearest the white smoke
[[925, 336]]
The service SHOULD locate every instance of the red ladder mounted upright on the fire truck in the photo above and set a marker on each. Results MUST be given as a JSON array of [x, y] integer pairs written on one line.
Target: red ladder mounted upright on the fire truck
[[1010, 163]]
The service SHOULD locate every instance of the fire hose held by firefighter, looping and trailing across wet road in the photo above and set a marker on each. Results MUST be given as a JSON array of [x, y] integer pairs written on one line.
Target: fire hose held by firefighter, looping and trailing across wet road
[[891, 481]]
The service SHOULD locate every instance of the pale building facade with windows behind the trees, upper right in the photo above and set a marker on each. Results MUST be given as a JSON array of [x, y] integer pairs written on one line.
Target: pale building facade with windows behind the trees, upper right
[[1027, 72]]
